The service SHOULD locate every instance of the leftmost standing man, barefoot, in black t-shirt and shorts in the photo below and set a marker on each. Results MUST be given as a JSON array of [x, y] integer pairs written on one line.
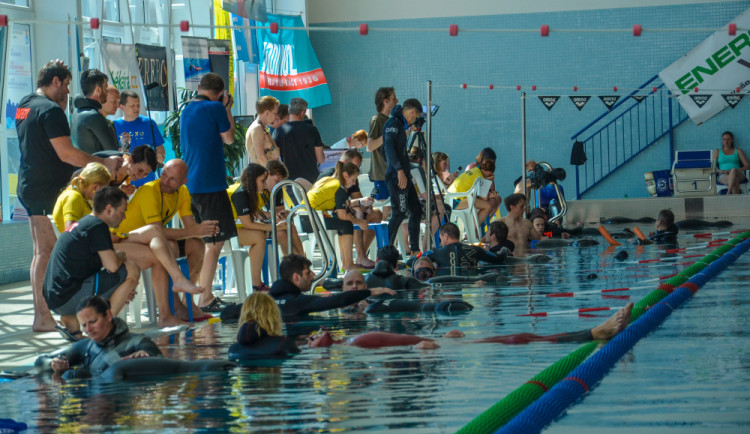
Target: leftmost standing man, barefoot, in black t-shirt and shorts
[[48, 159]]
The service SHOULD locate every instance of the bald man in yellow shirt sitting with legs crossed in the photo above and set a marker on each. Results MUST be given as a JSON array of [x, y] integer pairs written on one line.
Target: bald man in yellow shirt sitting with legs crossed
[[153, 206]]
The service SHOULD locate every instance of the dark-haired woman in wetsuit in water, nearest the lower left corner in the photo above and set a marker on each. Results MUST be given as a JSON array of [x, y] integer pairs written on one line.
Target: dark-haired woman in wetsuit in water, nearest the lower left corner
[[109, 341]]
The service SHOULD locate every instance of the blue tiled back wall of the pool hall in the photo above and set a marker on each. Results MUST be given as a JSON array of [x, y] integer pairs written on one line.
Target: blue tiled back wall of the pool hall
[[470, 119]]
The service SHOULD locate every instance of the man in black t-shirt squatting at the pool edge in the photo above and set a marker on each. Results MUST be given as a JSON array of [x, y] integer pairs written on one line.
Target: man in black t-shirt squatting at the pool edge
[[84, 263]]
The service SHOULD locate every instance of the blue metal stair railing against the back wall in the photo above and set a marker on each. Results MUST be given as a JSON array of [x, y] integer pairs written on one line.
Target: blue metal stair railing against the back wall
[[620, 134]]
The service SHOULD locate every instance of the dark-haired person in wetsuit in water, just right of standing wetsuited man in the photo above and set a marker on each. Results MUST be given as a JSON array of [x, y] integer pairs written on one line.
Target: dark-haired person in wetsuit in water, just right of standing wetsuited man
[[453, 254]]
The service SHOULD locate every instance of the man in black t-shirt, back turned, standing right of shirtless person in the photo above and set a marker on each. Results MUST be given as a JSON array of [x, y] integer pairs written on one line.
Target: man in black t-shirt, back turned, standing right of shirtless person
[[300, 143]]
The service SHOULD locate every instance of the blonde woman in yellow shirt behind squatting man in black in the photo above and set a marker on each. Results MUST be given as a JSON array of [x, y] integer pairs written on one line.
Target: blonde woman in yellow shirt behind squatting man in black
[[75, 201]]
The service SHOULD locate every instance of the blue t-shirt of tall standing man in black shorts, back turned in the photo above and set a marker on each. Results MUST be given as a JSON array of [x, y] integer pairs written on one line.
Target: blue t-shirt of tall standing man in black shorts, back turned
[[201, 125]]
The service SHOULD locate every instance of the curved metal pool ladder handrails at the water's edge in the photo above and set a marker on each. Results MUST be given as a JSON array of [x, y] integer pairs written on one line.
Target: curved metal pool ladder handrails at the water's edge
[[327, 250]]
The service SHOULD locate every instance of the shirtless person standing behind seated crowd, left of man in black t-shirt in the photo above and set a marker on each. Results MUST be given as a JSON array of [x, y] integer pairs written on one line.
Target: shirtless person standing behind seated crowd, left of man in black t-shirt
[[260, 145]]
